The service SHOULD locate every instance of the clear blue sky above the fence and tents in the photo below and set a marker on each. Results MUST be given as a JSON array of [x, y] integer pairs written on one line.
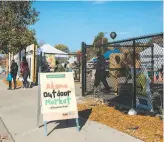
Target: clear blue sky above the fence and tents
[[70, 23]]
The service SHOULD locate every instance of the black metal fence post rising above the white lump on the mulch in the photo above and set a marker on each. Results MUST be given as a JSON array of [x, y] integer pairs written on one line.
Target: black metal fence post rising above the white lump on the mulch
[[134, 75]]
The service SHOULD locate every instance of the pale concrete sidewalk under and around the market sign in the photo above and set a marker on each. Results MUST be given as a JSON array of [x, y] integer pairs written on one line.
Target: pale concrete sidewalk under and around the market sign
[[18, 112]]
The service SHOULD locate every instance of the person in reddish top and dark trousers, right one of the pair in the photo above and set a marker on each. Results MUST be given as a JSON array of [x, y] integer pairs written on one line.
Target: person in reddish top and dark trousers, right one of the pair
[[24, 70]]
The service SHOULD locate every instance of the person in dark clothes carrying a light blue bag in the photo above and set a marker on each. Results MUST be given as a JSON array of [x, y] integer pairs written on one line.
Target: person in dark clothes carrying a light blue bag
[[13, 71]]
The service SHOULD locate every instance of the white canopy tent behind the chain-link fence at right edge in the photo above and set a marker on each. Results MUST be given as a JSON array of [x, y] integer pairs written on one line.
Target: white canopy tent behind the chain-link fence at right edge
[[146, 56]]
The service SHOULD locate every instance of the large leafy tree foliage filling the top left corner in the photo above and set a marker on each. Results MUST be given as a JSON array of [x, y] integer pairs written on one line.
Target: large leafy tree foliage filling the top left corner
[[15, 17]]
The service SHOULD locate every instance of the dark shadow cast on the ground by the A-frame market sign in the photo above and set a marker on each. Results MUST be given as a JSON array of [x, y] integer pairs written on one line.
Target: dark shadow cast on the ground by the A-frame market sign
[[83, 117]]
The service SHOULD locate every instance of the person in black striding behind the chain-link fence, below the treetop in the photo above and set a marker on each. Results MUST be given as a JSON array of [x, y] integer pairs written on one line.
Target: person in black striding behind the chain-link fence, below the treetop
[[100, 74]]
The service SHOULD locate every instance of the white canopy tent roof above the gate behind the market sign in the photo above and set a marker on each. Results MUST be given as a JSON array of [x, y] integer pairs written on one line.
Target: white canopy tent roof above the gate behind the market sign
[[46, 48]]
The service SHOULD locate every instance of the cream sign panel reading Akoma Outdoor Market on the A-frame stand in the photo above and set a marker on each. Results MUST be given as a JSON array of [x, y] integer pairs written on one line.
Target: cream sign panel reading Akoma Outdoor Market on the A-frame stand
[[58, 96]]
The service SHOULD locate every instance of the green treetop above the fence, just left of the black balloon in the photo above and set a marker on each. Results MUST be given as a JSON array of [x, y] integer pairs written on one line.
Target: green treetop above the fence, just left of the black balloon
[[99, 39]]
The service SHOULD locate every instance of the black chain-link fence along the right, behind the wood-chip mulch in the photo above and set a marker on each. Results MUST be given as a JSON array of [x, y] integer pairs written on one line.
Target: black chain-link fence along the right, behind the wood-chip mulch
[[135, 69]]
